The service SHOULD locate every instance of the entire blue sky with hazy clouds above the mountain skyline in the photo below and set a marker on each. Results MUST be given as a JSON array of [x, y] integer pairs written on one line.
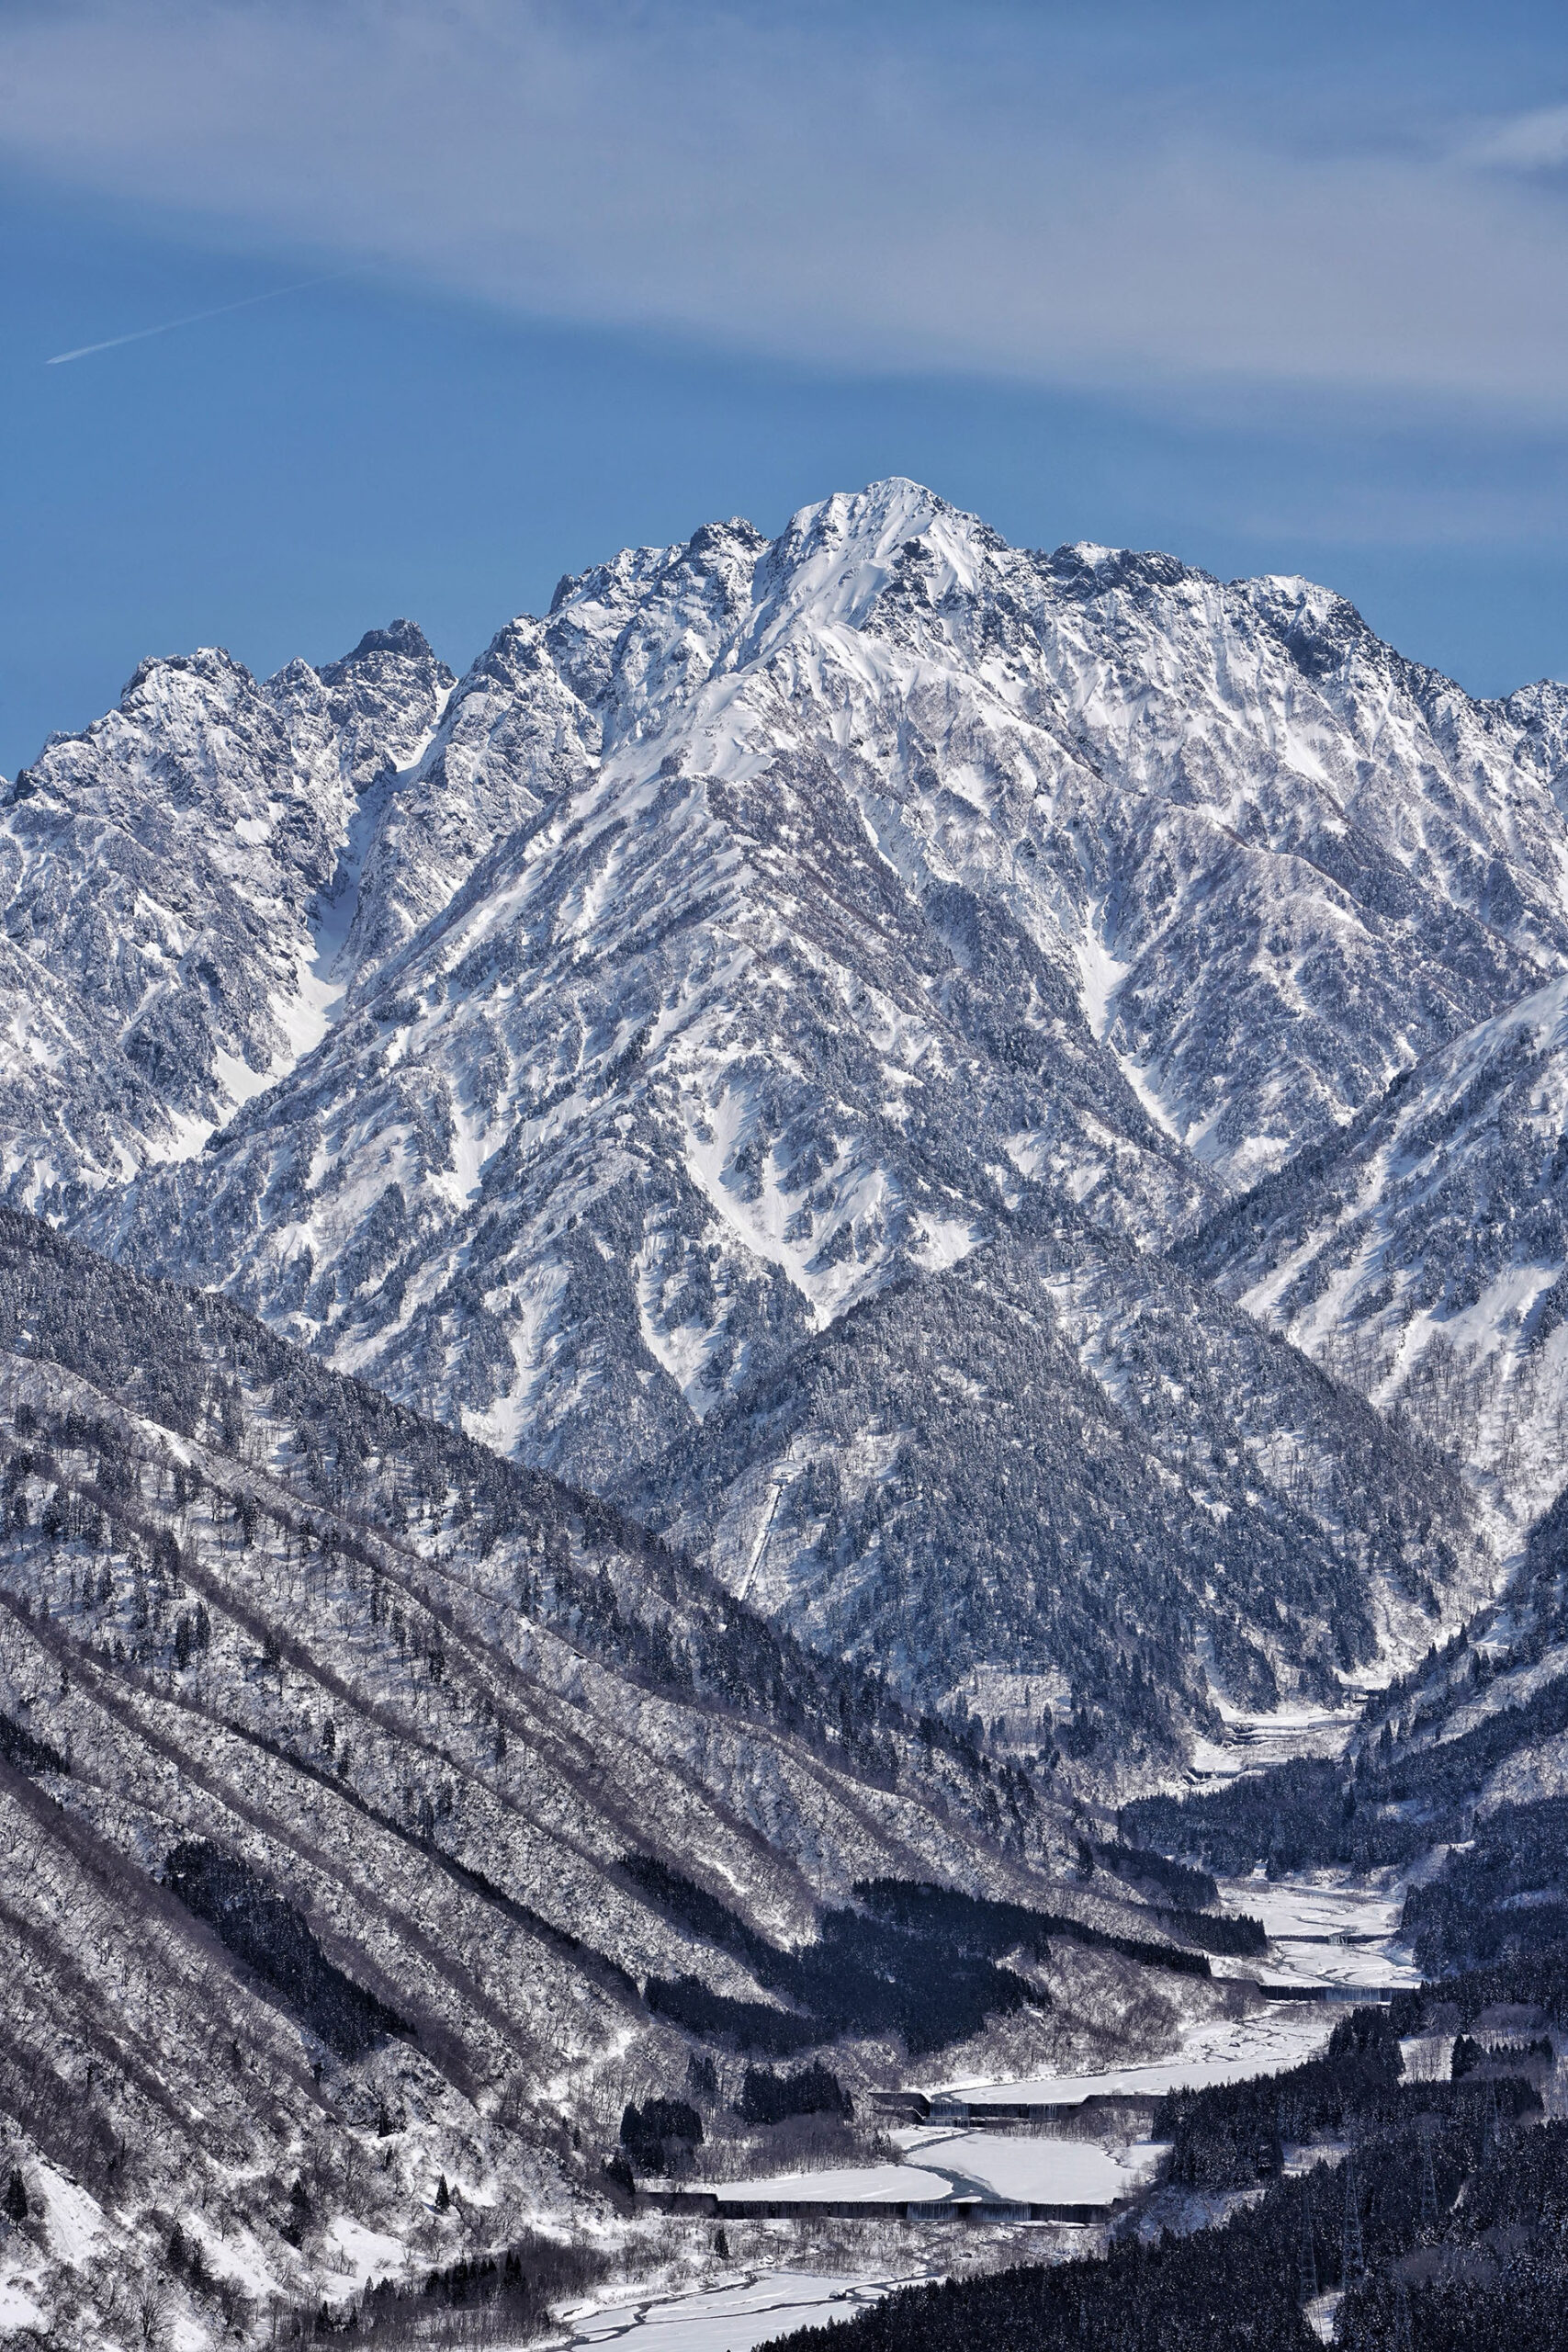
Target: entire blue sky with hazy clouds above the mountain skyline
[[1278, 290]]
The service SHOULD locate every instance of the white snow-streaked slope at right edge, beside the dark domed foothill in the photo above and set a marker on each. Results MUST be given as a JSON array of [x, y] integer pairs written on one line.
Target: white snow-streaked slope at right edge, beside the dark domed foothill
[[1426, 1252]]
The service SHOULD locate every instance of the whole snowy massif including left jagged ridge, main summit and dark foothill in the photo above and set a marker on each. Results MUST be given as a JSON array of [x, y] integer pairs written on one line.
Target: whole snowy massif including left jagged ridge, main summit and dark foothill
[[869, 940]]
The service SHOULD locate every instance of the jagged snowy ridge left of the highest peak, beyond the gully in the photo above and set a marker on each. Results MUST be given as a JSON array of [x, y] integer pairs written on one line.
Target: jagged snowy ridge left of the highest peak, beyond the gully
[[166, 878]]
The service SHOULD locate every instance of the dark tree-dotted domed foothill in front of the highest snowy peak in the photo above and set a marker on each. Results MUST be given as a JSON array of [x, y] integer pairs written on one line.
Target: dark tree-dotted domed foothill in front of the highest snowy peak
[[1078, 1490]]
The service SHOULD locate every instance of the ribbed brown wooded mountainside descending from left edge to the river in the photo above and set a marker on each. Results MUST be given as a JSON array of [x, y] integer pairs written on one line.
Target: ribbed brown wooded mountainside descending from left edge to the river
[[384, 1815]]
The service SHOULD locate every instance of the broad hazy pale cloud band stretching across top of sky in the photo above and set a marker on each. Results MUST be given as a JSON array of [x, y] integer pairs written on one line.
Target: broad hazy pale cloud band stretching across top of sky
[[932, 192]]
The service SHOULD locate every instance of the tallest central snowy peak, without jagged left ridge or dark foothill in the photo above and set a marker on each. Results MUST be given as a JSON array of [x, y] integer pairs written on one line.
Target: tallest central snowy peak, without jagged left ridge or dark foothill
[[826, 888]]
